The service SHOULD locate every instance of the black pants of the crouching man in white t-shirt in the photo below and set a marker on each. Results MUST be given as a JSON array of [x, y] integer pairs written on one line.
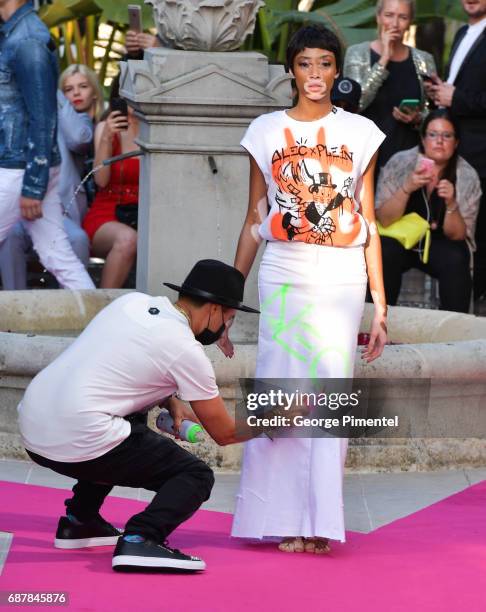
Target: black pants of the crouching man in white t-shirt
[[182, 482]]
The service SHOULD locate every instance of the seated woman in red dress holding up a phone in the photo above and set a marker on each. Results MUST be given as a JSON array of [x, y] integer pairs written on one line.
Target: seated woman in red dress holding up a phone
[[111, 239]]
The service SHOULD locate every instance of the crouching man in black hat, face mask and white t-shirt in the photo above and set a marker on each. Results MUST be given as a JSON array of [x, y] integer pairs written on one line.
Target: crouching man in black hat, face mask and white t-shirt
[[136, 352]]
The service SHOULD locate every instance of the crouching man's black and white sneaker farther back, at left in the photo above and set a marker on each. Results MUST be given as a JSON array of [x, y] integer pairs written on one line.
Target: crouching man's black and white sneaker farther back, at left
[[96, 532]]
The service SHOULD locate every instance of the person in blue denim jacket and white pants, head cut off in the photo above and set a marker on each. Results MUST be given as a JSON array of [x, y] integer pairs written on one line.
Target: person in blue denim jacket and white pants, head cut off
[[29, 155]]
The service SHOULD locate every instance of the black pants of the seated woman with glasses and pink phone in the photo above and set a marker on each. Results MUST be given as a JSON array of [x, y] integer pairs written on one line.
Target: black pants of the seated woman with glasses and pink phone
[[448, 262]]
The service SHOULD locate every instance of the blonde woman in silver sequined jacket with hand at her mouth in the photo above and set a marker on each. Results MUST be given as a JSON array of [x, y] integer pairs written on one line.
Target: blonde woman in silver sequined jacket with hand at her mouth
[[389, 72]]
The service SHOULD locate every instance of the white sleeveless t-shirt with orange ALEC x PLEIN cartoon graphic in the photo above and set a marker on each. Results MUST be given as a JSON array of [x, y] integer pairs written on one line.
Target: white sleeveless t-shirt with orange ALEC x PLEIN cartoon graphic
[[313, 171]]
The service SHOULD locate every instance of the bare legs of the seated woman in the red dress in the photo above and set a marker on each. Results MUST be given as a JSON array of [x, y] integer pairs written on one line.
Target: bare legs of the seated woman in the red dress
[[117, 243]]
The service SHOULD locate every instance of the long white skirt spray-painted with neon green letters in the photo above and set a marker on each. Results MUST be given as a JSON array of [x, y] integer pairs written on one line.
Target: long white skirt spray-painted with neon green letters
[[311, 300]]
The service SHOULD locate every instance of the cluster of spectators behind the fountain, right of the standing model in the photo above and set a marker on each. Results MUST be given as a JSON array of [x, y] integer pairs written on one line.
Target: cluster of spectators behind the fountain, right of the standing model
[[433, 161]]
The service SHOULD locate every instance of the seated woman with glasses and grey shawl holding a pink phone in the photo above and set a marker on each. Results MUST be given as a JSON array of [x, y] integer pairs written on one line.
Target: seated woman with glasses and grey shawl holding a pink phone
[[433, 181]]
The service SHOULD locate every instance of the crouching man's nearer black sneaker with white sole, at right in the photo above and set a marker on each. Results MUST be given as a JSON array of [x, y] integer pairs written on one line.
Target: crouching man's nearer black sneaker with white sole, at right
[[134, 552]]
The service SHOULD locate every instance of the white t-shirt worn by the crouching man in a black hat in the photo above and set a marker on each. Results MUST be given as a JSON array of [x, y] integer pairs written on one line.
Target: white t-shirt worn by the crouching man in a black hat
[[133, 354]]
